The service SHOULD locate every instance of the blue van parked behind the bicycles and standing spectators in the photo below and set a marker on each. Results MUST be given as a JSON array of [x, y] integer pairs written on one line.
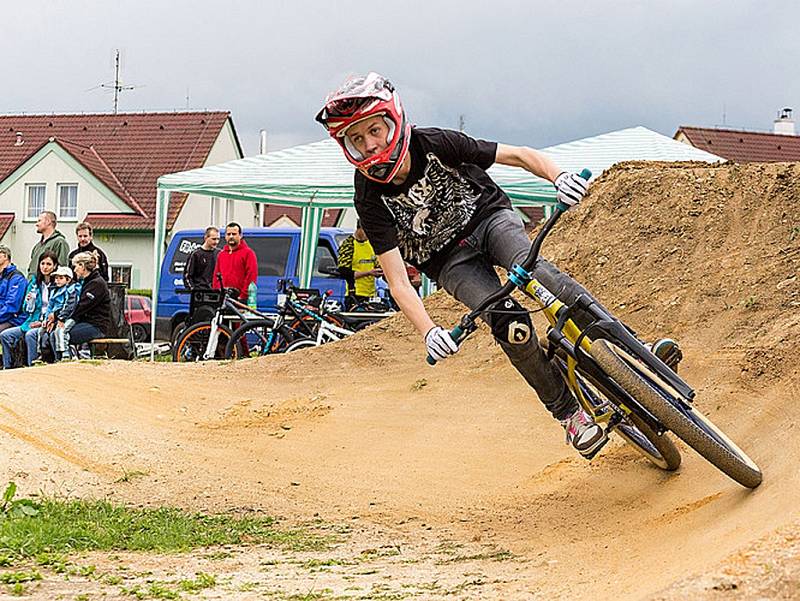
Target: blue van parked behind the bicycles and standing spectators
[[277, 251]]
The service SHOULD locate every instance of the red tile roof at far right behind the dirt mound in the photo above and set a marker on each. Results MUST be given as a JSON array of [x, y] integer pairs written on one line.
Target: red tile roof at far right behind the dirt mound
[[743, 146]]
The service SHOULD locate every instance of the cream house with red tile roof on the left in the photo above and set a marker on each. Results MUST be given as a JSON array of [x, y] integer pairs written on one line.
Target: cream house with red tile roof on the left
[[102, 168]]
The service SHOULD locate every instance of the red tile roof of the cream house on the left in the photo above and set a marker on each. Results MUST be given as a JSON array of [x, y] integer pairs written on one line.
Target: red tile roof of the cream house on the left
[[128, 152]]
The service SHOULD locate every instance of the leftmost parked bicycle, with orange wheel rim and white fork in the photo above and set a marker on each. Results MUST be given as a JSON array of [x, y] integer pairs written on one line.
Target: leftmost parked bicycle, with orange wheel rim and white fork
[[207, 340]]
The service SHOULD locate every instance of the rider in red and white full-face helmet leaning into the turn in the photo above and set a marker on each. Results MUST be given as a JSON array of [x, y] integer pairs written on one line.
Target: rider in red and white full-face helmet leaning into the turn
[[423, 196]]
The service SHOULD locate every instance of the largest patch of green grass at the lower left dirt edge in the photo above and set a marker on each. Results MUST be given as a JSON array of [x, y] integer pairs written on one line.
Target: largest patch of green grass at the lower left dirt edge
[[67, 526]]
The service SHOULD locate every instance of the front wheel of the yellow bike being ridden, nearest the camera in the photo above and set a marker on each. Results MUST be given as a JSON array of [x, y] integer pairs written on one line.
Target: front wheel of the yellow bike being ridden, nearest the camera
[[685, 421]]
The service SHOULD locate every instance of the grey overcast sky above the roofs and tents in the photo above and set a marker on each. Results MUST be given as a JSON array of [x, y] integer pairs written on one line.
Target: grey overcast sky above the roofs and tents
[[521, 72]]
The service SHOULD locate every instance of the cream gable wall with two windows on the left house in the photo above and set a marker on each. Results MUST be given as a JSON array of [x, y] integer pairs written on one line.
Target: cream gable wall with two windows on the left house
[[51, 170]]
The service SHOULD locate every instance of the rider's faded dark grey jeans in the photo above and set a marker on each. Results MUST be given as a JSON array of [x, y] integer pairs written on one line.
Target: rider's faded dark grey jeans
[[469, 275]]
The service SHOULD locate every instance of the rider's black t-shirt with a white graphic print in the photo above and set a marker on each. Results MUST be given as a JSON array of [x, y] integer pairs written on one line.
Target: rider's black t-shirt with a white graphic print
[[446, 195]]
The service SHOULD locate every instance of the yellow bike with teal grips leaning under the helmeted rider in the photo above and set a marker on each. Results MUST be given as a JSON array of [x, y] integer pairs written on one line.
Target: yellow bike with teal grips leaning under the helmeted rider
[[615, 377]]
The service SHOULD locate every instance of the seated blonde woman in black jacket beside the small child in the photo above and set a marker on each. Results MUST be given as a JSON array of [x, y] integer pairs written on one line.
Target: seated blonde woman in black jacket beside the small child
[[92, 315]]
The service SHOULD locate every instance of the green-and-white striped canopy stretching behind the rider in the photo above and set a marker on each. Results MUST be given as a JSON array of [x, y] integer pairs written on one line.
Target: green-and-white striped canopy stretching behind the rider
[[316, 176]]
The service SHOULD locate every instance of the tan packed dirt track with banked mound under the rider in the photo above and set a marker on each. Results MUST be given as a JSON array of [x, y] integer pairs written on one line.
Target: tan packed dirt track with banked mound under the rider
[[454, 480]]
